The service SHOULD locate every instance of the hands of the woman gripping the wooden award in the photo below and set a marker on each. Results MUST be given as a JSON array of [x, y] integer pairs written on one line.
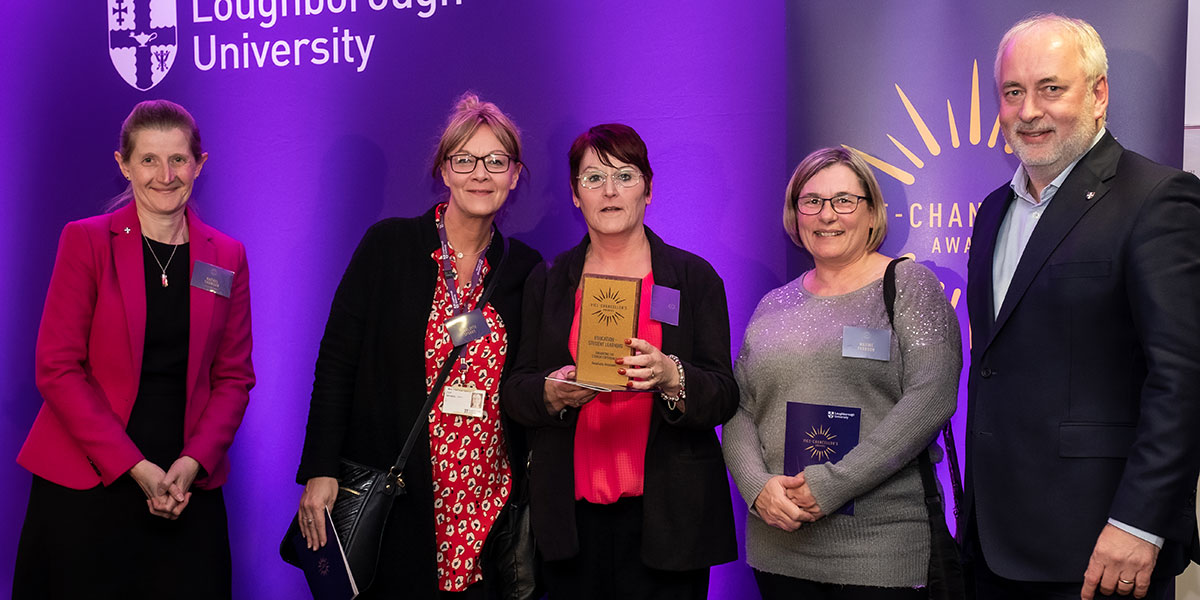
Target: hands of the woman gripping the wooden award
[[650, 369]]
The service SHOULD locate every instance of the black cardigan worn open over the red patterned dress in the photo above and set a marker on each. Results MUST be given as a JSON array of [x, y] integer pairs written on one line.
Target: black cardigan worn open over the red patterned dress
[[370, 381]]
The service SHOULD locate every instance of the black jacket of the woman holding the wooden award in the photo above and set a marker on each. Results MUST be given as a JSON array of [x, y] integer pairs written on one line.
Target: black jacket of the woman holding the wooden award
[[688, 520]]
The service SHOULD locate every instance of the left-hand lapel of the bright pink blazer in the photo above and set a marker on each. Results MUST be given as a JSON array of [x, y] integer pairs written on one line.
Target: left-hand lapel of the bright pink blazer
[[131, 278]]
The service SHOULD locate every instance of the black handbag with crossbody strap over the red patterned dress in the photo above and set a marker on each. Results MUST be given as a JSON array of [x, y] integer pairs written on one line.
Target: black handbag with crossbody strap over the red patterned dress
[[365, 495]]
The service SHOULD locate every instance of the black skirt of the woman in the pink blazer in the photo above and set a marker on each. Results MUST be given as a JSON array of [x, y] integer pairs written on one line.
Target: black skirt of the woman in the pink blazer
[[105, 544]]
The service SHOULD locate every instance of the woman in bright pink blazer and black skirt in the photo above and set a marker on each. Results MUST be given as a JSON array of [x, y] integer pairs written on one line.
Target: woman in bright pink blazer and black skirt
[[143, 363]]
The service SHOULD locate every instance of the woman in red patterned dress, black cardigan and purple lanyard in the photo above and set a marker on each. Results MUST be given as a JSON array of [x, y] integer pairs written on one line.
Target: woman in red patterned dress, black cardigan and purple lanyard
[[391, 334]]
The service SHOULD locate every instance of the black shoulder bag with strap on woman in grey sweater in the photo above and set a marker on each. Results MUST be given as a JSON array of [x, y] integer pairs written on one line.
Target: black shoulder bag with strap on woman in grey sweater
[[946, 579]]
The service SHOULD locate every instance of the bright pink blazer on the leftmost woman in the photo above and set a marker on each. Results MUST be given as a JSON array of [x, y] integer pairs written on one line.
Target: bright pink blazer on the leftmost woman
[[89, 355]]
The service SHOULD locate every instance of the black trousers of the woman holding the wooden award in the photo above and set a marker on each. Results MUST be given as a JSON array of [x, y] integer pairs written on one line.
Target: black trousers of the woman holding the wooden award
[[610, 561]]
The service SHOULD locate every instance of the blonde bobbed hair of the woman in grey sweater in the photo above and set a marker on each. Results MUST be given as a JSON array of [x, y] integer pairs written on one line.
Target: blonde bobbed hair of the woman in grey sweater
[[821, 160]]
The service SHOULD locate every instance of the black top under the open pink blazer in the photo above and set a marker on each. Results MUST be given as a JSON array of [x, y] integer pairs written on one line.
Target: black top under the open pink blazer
[[157, 424]]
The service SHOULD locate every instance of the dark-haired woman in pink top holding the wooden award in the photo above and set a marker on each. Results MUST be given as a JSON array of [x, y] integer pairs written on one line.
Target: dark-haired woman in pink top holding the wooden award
[[629, 495]]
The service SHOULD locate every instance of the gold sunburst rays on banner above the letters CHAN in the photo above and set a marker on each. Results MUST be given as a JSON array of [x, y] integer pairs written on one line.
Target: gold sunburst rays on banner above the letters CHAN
[[927, 136]]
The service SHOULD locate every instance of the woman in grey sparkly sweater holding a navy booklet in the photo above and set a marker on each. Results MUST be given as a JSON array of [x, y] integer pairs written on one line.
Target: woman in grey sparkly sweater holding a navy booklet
[[905, 387]]
